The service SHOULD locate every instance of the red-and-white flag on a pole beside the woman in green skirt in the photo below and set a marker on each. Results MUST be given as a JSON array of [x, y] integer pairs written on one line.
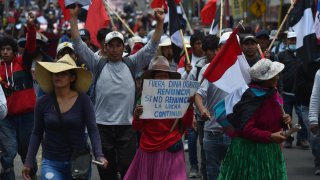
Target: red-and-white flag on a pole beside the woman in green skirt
[[229, 70]]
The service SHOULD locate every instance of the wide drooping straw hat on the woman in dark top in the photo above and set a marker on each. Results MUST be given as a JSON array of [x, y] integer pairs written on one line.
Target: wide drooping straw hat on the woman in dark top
[[44, 70]]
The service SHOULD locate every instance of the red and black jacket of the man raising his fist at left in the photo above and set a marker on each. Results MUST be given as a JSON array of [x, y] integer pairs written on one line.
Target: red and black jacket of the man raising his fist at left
[[19, 92]]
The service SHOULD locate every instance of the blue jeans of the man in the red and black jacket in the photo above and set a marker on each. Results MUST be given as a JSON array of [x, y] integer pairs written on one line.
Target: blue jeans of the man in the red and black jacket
[[15, 132]]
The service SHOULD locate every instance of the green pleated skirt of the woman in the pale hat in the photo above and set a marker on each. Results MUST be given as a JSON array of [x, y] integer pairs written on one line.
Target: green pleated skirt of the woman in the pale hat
[[248, 160]]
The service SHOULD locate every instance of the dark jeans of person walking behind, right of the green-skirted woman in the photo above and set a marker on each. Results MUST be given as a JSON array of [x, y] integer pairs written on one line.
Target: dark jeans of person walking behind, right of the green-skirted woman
[[289, 103]]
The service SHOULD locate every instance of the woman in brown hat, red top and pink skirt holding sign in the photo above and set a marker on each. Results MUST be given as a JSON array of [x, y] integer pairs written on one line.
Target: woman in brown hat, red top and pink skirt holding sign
[[160, 155]]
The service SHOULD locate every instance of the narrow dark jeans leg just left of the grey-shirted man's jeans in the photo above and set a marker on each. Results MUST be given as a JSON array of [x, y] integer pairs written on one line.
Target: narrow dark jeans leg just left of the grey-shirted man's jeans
[[203, 169]]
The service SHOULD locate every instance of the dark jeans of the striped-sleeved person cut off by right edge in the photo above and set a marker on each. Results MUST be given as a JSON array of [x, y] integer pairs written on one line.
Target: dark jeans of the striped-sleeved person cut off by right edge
[[314, 138]]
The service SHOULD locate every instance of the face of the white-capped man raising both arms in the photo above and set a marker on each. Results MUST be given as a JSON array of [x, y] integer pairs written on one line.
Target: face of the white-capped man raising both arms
[[114, 49]]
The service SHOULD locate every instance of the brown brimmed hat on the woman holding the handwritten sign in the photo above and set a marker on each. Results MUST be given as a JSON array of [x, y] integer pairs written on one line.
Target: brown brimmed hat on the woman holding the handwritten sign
[[160, 63]]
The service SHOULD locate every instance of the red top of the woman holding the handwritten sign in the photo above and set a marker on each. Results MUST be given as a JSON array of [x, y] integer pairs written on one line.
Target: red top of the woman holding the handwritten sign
[[155, 134]]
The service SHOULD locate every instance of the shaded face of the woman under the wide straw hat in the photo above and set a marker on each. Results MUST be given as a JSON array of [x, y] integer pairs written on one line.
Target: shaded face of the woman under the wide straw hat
[[63, 79]]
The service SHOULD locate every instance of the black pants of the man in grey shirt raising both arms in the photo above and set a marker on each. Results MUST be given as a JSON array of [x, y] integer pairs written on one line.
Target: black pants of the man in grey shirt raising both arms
[[119, 147]]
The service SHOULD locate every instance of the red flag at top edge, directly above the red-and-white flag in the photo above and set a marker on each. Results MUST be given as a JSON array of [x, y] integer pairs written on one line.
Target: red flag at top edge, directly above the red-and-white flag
[[208, 12]]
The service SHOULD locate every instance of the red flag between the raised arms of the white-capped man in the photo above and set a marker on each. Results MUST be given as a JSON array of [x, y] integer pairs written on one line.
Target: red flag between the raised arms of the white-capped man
[[97, 18]]
